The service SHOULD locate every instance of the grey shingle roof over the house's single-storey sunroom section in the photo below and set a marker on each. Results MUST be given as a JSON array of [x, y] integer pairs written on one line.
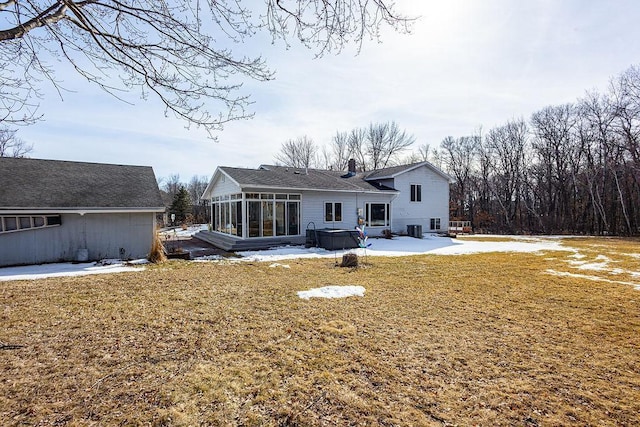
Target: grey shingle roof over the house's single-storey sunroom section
[[295, 178]]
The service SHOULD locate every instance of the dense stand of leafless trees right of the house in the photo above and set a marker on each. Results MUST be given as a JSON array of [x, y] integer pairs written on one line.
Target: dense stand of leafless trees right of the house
[[571, 168]]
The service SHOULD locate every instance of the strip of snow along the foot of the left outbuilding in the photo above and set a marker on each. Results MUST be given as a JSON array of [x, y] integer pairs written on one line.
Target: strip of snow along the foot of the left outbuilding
[[42, 271]]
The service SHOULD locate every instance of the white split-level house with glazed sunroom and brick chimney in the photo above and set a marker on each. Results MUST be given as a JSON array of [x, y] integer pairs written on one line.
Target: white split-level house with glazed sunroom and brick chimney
[[271, 205]]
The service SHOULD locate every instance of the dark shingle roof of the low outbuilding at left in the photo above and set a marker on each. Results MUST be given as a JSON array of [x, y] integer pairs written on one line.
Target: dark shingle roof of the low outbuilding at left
[[45, 184]]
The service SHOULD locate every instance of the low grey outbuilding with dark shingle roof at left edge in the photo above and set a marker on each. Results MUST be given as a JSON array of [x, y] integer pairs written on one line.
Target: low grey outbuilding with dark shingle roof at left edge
[[53, 211]]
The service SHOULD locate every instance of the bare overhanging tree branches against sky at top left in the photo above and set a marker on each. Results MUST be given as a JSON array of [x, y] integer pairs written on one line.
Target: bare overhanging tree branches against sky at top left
[[175, 51]]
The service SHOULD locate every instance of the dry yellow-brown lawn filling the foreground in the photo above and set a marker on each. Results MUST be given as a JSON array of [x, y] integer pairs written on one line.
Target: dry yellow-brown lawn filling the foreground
[[488, 339]]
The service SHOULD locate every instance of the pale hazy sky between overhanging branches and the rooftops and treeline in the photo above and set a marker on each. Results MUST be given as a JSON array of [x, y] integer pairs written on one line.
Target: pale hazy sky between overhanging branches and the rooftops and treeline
[[466, 64]]
